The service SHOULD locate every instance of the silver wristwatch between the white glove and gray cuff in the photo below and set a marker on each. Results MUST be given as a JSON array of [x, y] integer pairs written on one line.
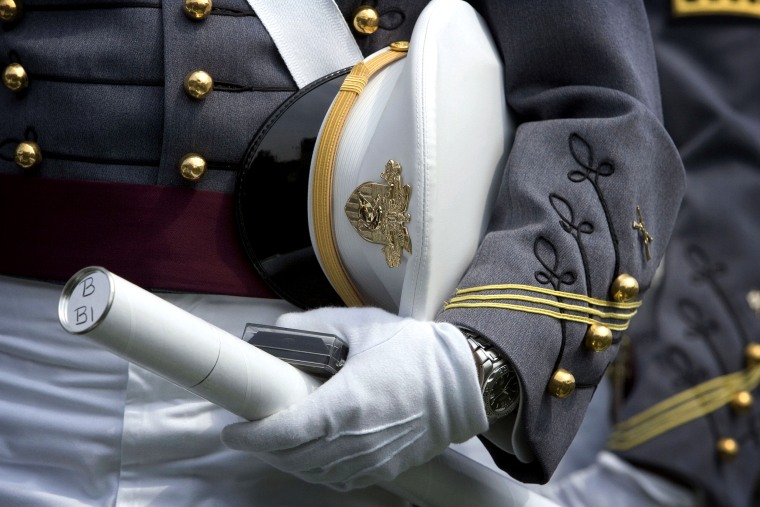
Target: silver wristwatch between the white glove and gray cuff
[[498, 380]]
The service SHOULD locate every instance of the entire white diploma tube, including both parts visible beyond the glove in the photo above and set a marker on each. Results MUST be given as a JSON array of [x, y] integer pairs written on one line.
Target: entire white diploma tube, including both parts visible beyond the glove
[[235, 375]]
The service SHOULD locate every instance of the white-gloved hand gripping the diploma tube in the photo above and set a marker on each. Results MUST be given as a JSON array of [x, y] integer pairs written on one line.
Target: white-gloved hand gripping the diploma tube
[[408, 389]]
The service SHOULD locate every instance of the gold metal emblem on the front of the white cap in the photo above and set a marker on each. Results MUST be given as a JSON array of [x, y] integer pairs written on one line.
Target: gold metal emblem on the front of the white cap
[[378, 212]]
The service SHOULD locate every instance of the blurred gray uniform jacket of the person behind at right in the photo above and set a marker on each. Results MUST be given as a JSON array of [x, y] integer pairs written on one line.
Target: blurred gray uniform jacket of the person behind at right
[[702, 323]]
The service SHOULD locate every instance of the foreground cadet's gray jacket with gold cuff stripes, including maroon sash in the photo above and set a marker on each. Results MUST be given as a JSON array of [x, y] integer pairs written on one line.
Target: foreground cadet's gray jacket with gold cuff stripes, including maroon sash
[[106, 105]]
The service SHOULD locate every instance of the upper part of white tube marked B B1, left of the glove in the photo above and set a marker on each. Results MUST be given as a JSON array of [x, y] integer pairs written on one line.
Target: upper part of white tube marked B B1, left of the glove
[[178, 346]]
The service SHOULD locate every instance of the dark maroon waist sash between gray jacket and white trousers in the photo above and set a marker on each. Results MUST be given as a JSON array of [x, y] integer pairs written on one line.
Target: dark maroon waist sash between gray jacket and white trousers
[[160, 238]]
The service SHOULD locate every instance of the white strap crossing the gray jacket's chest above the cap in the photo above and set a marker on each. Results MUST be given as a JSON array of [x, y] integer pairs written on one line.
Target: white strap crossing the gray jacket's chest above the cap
[[311, 36]]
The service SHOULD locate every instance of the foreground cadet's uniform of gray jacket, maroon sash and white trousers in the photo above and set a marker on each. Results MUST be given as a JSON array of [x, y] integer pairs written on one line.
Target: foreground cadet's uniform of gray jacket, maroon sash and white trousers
[[117, 150]]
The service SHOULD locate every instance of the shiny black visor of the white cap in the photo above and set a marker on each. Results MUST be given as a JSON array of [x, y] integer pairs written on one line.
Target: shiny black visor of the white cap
[[271, 197]]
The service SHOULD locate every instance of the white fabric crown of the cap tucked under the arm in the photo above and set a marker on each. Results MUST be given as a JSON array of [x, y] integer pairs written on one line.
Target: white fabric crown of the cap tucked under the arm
[[439, 113]]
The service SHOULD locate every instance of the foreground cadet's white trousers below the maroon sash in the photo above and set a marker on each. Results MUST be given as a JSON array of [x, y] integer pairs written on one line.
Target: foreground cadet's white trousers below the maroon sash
[[80, 426]]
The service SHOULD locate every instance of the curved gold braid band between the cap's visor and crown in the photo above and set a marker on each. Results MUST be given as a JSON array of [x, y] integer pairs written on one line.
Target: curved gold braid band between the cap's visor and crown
[[324, 168]]
